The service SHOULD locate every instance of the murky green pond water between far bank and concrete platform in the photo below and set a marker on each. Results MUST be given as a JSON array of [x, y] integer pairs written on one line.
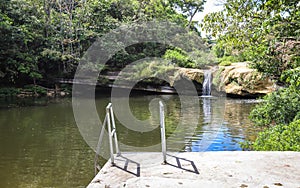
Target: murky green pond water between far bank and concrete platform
[[42, 147]]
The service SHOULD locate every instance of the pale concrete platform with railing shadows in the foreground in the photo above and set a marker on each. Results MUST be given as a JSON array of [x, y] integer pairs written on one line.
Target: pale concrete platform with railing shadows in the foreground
[[207, 169]]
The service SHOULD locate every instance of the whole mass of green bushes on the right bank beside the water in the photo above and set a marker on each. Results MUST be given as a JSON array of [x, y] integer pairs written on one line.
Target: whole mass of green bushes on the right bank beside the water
[[281, 113]]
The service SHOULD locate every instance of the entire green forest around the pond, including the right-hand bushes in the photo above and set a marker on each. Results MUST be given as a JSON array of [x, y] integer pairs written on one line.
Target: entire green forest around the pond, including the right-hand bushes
[[44, 40]]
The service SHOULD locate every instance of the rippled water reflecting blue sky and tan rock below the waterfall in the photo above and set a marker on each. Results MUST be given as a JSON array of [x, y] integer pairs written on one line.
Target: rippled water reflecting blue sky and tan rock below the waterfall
[[225, 125]]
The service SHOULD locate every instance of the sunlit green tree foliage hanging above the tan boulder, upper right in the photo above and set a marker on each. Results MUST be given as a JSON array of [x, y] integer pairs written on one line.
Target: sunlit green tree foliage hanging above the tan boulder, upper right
[[264, 32]]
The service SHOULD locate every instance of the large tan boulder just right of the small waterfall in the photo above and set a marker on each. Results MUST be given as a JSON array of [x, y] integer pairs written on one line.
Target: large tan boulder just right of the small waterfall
[[239, 80]]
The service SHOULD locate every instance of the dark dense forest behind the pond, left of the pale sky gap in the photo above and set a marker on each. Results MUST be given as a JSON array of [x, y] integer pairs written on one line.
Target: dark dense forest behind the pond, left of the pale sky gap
[[44, 40]]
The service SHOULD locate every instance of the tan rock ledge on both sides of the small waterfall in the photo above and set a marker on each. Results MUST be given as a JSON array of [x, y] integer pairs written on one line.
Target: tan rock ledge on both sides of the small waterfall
[[235, 80]]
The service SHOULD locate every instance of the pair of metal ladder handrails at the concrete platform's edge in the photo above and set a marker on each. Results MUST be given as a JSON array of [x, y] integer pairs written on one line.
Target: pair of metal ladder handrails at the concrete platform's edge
[[109, 121]]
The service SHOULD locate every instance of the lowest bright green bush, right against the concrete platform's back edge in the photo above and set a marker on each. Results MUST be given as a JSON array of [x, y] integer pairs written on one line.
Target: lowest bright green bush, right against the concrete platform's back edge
[[279, 138]]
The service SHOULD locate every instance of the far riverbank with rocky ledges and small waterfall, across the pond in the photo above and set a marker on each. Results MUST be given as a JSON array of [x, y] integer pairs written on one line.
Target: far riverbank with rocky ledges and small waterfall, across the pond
[[235, 80]]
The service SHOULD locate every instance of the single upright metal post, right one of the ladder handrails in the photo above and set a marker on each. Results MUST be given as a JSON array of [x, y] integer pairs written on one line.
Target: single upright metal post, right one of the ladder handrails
[[162, 131]]
